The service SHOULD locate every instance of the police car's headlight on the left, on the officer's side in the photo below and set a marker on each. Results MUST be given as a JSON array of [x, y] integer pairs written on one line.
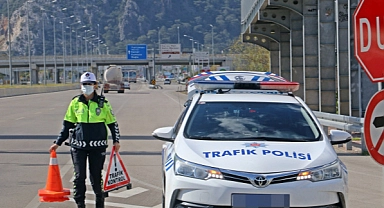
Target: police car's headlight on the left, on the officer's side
[[188, 169]]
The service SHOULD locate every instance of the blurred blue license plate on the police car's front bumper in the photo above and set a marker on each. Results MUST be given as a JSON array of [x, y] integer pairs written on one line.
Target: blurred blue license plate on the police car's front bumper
[[260, 201]]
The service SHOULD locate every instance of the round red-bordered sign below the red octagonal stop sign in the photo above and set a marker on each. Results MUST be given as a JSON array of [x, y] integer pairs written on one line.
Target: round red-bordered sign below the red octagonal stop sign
[[374, 127]]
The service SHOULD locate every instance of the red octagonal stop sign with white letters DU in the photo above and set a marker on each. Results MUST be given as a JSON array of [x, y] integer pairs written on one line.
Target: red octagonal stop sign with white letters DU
[[369, 37]]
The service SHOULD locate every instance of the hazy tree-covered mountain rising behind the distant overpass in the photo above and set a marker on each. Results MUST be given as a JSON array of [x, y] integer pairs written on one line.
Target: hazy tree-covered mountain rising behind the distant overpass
[[116, 23]]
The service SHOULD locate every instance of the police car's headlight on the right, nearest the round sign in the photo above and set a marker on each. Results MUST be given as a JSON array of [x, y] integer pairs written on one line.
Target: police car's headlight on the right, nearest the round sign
[[331, 171]]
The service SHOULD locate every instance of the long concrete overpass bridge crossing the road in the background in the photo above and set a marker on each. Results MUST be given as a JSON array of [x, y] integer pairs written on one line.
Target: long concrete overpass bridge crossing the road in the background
[[81, 63]]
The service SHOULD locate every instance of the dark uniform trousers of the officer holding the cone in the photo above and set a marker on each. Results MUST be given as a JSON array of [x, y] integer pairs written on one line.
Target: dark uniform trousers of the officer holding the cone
[[96, 158]]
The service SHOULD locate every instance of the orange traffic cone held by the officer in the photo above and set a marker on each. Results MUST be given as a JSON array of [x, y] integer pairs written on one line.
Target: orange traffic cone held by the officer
[[53, 191]]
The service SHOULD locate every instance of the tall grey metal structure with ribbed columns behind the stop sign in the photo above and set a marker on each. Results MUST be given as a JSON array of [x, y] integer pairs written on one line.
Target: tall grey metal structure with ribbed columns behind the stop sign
[[311, 42]]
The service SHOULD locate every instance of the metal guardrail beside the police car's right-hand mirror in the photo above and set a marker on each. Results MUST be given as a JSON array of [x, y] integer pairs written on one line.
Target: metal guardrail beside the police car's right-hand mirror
[[345, 123]]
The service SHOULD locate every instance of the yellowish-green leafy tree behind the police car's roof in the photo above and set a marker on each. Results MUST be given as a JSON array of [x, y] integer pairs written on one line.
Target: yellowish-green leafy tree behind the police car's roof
[[248, 56]]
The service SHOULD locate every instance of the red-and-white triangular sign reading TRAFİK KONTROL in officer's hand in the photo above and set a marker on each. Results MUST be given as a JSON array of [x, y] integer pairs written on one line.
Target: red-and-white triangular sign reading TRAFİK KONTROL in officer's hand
[[117, 175]]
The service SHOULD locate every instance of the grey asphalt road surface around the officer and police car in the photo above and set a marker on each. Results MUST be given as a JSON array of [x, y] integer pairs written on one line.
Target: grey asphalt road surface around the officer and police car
[[29, 124]]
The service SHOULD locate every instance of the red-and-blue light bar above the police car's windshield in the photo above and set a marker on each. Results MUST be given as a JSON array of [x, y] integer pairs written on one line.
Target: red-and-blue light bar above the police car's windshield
[[247, 85]]
